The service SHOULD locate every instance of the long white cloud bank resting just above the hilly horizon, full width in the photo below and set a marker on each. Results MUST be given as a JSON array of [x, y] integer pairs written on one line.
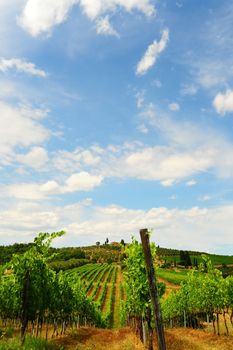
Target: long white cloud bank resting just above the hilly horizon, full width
[[86, 223]]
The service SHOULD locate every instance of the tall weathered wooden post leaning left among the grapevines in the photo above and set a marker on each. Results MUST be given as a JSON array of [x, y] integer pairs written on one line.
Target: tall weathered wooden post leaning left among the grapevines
[[153, 288]]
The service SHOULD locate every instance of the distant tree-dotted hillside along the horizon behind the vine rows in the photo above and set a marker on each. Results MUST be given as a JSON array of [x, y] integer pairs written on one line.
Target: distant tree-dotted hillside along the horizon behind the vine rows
[[70, 257]]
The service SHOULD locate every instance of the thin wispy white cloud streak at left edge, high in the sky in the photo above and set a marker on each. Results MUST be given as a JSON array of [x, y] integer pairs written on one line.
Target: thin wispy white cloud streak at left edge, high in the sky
[[20, 66]]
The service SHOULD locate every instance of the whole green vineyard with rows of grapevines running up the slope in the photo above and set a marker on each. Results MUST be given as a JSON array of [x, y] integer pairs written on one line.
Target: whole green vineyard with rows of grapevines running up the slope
[[39, 302]]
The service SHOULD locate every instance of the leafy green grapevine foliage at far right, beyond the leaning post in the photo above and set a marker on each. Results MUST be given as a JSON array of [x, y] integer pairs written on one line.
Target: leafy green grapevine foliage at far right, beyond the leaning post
[[205, 291]]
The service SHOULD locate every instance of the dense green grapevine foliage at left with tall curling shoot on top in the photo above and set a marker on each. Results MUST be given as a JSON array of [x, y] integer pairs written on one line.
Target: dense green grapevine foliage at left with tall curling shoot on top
[[32, 290]]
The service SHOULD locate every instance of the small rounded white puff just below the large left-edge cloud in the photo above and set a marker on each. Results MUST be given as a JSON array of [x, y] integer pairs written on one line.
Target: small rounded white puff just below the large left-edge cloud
[[36, 158]]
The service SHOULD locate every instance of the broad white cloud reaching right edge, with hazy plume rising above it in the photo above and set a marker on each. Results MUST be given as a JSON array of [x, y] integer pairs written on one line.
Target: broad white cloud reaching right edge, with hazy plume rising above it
[[186, 149]]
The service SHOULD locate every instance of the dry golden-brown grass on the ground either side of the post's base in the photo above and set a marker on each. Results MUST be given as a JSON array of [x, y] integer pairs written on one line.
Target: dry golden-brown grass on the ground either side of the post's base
[[124, 339]]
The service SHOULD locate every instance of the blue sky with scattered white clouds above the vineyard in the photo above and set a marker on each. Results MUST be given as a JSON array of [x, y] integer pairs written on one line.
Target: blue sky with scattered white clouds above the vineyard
[[116, 116]]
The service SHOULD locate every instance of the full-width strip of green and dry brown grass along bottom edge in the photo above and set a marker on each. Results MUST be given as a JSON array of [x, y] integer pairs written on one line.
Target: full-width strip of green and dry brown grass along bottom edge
[[123, 339]]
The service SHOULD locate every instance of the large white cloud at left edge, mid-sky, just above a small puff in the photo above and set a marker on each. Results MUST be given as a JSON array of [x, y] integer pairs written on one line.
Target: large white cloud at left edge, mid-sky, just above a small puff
[[20, 126]]
